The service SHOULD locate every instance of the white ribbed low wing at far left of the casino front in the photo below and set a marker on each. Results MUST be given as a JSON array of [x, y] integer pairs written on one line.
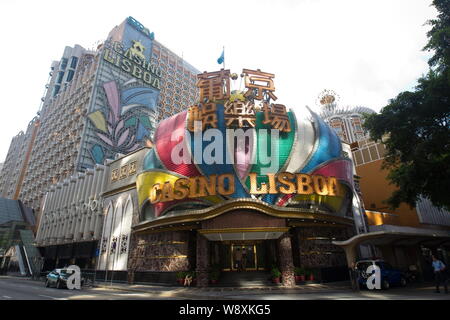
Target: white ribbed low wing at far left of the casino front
[[71, 220]]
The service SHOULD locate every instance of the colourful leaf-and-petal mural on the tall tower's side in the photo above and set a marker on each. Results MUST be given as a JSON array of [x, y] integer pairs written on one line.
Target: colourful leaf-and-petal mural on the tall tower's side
[[125, 122]]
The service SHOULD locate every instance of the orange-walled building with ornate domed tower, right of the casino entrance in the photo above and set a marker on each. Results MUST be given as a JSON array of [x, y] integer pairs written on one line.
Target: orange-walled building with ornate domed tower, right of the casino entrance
[[406, 236]]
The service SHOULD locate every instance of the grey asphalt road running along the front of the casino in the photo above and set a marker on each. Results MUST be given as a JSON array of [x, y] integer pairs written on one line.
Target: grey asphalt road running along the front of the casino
[[12, 288]]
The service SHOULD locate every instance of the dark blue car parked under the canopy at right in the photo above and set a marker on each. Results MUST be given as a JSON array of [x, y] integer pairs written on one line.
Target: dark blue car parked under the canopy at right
[[389, 275]]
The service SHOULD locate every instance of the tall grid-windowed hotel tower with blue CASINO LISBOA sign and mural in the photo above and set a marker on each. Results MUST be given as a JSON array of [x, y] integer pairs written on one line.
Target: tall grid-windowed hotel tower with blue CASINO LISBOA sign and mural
[[96, 106]]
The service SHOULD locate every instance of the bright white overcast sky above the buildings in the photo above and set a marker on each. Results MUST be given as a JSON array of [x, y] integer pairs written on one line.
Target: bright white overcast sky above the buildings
[[366, 51]]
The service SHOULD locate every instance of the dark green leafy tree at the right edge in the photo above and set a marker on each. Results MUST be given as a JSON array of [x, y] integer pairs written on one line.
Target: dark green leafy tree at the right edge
[[415, 126]]
